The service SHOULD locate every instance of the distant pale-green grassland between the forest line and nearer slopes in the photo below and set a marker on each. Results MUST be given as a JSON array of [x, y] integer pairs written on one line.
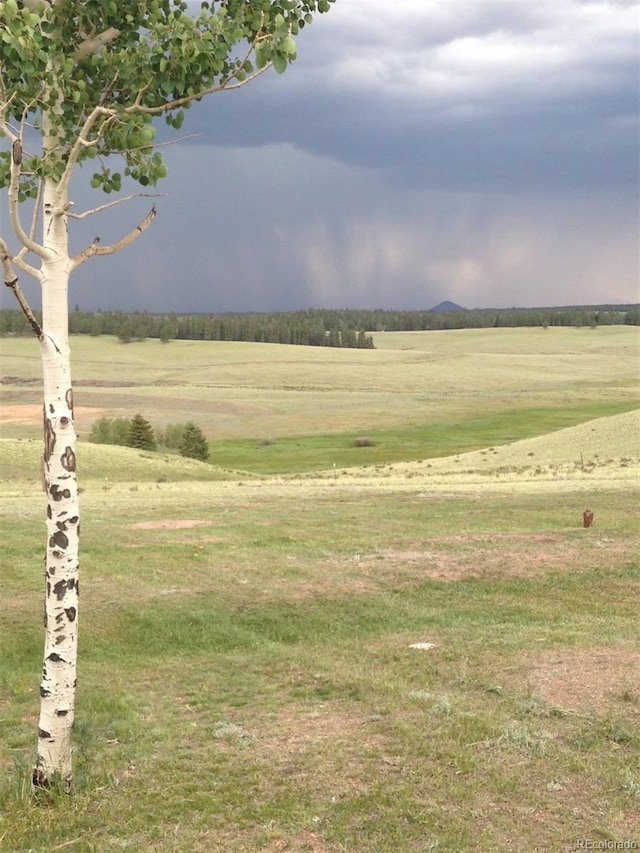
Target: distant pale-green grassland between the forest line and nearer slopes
[[280, 409]]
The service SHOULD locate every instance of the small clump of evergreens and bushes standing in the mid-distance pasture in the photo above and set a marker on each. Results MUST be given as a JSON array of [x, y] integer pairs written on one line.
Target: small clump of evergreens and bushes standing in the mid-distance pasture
[[186, 439]]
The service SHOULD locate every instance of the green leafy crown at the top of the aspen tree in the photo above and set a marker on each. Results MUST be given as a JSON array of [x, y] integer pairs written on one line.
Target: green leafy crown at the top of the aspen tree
[[92, 74]]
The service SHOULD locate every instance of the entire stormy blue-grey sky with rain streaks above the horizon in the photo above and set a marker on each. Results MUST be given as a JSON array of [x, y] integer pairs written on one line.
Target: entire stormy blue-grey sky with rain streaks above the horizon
[[482, 151]]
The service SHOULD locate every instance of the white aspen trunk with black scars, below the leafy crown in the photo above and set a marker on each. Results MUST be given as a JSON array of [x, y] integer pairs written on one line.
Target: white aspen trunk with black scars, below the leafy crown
[[58, 685]]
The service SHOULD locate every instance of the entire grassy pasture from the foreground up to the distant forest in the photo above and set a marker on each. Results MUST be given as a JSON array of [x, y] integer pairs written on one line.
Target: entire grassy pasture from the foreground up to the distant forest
[[309, 645]]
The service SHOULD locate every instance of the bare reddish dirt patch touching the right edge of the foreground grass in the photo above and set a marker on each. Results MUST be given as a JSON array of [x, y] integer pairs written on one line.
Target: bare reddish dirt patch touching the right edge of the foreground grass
[[585, 680]]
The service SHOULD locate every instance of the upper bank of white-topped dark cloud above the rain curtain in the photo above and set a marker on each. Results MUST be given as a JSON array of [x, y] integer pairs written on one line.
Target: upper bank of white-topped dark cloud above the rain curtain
[[468, 94]]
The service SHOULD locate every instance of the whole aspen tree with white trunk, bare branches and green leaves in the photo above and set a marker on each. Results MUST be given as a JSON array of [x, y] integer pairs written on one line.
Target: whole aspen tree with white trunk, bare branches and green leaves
[[81, 83]]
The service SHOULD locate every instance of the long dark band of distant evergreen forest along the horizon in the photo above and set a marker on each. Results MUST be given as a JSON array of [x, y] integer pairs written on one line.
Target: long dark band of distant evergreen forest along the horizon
[[319, 327]]
